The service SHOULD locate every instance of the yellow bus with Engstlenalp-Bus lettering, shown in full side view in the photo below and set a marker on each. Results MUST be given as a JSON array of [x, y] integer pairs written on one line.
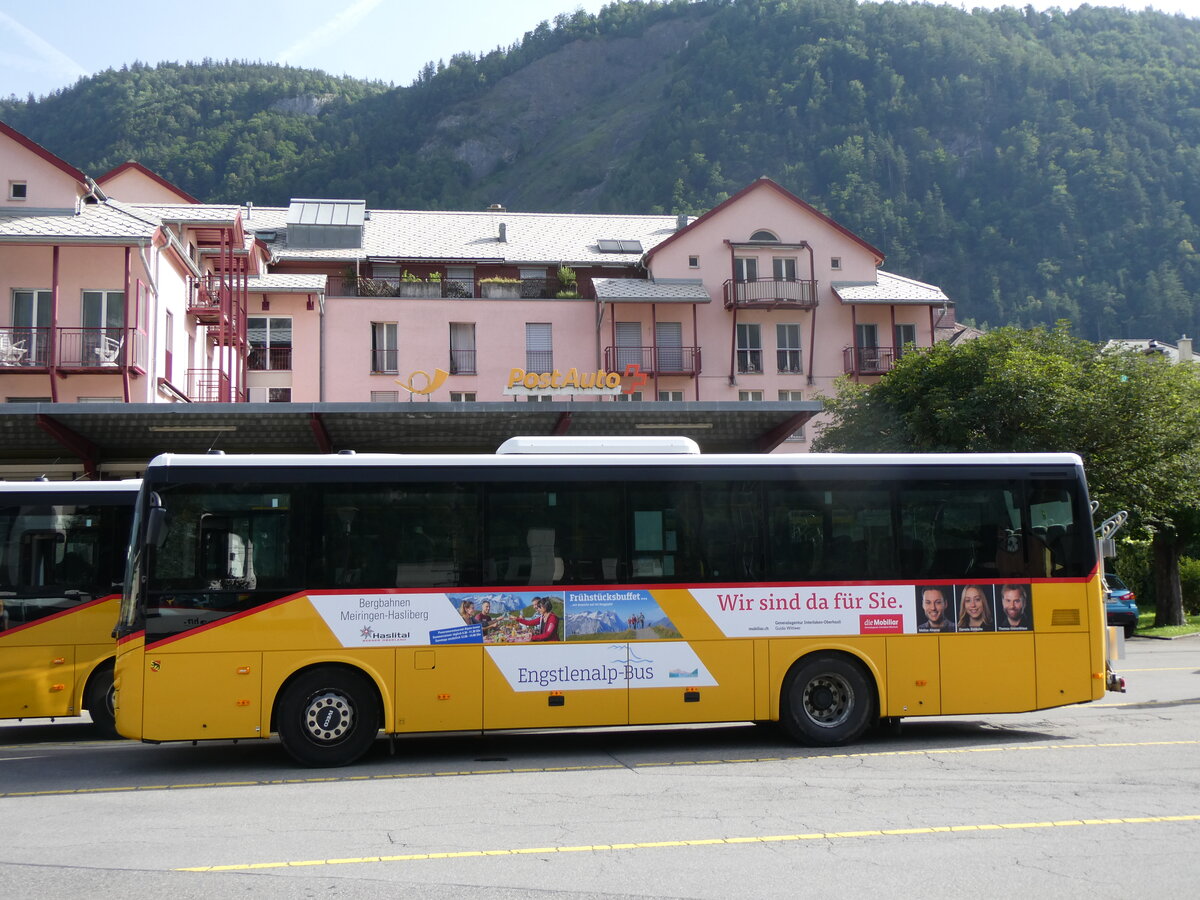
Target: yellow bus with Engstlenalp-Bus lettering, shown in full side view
[[607, 583]]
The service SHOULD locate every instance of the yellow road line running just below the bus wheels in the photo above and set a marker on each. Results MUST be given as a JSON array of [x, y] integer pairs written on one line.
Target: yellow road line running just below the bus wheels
[[601, 767]]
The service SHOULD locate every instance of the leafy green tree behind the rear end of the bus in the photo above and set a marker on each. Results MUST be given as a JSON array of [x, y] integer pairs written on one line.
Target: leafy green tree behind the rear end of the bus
[[1135, 421]]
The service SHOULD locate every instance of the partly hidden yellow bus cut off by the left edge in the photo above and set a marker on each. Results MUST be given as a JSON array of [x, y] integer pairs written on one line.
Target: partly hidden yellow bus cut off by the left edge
[[63, 549]]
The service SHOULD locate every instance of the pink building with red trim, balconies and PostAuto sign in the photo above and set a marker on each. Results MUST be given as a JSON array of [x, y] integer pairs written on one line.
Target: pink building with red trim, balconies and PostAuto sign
[[127, 290]]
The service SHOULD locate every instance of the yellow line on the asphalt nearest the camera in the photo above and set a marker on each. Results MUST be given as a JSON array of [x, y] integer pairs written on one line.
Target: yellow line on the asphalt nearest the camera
[[697, 843]]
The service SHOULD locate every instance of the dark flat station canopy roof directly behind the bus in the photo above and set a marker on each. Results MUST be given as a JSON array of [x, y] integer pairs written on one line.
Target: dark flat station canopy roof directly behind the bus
[[111, 440]]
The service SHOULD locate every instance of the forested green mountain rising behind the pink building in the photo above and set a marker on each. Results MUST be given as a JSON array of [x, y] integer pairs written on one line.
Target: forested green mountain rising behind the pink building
[[1037, 166]]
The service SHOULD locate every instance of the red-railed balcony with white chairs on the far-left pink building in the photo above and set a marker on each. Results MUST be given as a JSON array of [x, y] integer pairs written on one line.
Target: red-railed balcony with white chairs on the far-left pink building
[[76, 350]]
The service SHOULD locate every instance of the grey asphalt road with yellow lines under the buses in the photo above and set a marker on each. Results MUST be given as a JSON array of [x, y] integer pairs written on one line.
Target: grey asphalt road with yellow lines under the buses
[[1100, 801]]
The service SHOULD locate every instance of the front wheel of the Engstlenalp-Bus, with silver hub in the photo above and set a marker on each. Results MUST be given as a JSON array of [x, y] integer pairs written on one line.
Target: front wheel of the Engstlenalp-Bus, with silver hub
[[328, 717]]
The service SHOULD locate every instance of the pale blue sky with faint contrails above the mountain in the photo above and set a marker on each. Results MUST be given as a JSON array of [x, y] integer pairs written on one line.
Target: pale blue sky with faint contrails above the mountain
[[51, 45]]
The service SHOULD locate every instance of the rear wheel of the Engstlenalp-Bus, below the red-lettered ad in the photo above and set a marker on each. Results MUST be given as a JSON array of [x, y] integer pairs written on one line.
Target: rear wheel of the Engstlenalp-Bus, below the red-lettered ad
[[827, 700]]
